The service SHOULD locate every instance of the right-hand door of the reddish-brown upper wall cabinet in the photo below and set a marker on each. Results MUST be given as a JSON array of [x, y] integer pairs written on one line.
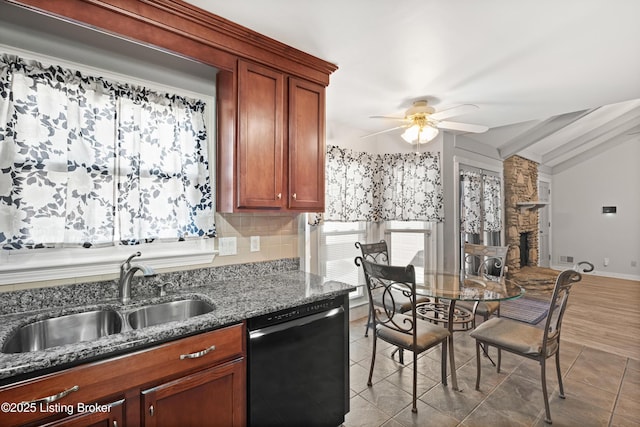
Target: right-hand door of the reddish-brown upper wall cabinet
[[306, 145]]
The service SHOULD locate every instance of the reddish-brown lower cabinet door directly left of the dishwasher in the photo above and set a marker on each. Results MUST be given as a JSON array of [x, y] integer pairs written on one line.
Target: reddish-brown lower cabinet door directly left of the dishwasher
[[213, 397]]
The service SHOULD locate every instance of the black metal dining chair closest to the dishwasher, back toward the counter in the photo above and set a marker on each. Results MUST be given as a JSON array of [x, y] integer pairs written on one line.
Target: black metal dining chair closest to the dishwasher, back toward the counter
[[404, 331]]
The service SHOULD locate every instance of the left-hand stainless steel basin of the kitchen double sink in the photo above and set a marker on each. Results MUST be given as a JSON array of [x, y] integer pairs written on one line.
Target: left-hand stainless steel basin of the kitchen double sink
[[68, 329]]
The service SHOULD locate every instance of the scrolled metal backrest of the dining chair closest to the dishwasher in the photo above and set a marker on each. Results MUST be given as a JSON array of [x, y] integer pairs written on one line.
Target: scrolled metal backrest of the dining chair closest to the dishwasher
[[391, 279]]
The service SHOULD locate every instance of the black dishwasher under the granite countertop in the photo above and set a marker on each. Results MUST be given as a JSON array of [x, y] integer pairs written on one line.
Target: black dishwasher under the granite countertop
[[298, 366]]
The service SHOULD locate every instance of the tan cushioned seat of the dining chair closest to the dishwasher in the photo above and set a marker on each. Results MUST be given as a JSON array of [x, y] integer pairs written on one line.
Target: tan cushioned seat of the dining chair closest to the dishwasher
[[428, 334]]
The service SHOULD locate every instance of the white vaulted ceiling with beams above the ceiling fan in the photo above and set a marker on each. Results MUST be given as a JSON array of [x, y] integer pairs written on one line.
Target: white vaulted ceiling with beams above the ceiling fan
[[555, 81]]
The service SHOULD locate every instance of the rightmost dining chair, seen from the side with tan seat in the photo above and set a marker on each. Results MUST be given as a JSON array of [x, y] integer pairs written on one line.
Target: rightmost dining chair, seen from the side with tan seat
[[528, 340]]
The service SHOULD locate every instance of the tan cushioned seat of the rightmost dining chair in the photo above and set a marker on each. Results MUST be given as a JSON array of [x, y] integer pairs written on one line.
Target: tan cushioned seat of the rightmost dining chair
[[510, 335]]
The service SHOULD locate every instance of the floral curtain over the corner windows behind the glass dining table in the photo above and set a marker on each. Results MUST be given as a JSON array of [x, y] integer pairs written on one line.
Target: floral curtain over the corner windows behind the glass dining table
[[369, 187]]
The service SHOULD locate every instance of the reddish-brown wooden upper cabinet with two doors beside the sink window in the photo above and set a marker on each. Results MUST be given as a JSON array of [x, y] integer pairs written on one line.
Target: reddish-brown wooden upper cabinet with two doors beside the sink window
[[280, 143]]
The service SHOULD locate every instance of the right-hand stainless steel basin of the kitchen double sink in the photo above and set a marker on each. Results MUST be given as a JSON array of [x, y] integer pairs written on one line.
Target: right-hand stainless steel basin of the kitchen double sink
[[168, 312]]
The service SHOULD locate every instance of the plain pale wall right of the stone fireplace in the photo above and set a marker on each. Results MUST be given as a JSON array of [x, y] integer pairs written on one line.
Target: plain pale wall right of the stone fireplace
[[579, 228]]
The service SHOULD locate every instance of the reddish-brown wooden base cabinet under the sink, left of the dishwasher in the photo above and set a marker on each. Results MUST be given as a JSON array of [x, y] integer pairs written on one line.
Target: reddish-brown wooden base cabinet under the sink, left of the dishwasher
[[177, 377]]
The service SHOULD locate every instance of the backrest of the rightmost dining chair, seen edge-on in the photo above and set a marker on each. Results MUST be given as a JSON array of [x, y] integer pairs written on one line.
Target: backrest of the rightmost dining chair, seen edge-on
[[558, 304]]
